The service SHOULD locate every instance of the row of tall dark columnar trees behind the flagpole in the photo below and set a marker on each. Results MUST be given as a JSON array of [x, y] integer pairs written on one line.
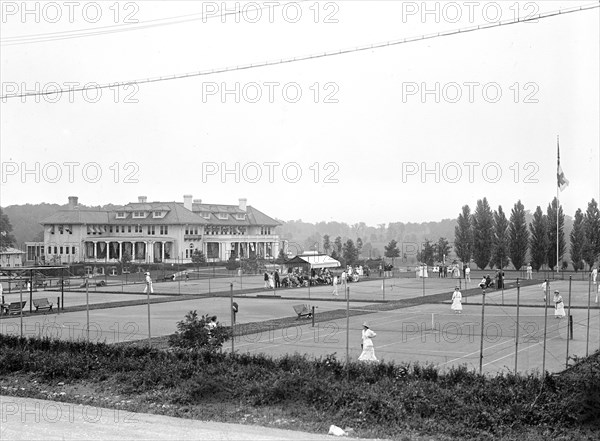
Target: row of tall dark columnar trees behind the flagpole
[[490, 239]]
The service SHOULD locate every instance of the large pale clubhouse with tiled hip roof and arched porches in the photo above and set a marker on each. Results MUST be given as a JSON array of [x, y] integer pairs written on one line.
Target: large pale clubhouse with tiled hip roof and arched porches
[[153, 232]]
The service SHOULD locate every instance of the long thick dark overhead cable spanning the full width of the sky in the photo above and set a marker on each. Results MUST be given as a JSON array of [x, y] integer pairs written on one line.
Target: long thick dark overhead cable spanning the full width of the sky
[[313, 56]]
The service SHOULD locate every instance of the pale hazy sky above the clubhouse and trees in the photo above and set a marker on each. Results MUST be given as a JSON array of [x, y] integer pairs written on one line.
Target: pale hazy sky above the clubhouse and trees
[[344, 138]]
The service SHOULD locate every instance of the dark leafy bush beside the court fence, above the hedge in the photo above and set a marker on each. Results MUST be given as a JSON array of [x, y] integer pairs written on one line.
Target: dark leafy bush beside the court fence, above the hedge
[[193, 333]]
